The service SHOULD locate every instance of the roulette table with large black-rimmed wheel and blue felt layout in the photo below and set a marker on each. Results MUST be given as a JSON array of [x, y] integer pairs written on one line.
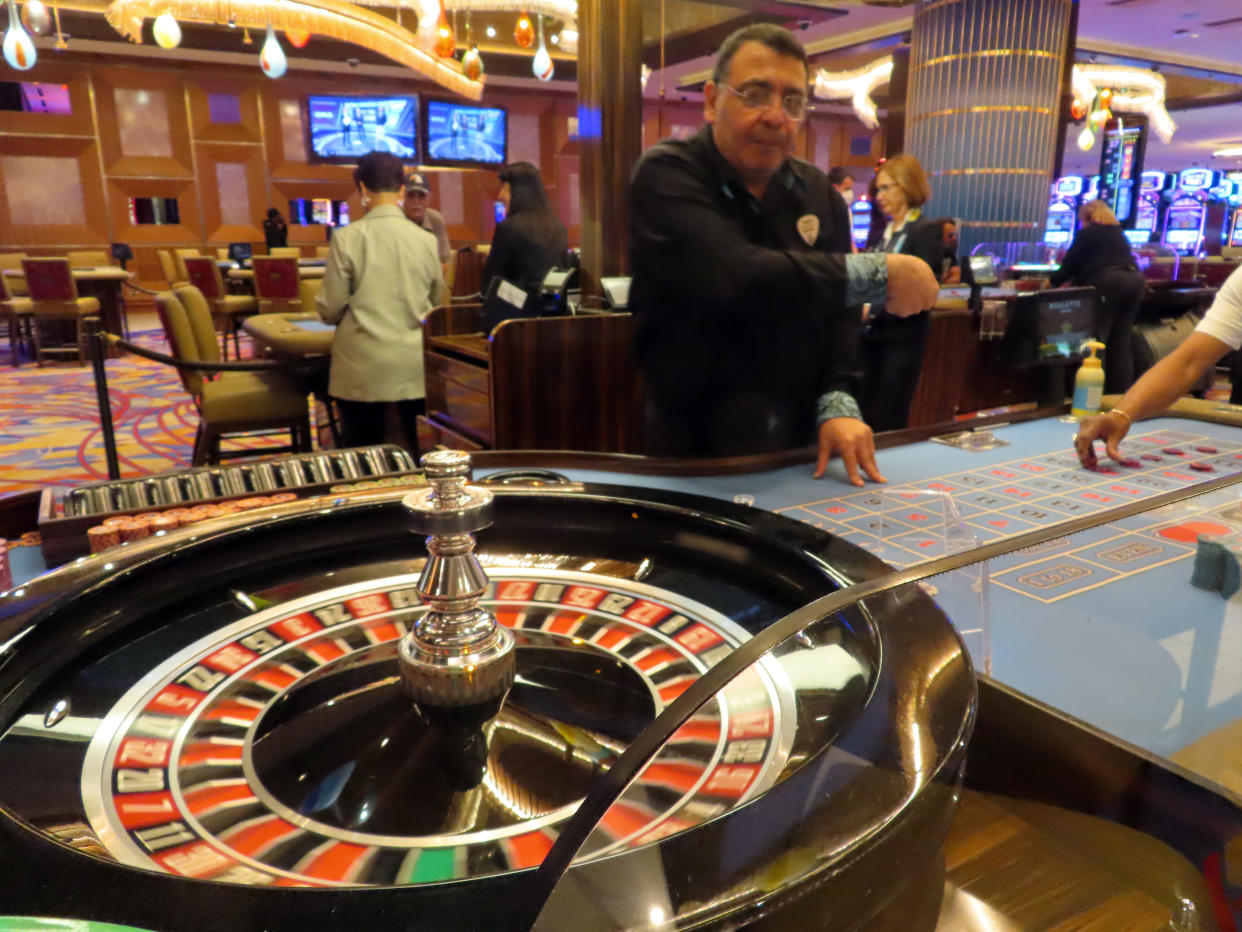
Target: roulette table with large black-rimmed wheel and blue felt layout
[[954, 703]]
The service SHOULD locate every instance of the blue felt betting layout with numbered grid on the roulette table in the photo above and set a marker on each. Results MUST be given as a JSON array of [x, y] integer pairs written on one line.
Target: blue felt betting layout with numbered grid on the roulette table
[[1104, 624]]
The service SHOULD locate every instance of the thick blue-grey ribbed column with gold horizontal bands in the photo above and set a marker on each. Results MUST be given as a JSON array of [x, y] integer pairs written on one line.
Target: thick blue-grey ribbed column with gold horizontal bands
[[983, 110]]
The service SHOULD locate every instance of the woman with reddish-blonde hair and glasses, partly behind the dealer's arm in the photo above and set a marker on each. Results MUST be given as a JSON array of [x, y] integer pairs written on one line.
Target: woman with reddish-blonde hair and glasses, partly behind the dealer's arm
[[892, 347]]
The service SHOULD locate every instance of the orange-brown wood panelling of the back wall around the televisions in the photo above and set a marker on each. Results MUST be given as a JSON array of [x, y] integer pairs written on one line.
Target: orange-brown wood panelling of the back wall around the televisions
[[276, 170]]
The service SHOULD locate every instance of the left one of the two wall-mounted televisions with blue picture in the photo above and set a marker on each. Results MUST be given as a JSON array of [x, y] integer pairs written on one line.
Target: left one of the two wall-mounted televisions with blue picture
[[345, 129]]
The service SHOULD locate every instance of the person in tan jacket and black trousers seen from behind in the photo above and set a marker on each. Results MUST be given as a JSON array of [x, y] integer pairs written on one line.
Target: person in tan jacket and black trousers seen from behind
[[381, 283]]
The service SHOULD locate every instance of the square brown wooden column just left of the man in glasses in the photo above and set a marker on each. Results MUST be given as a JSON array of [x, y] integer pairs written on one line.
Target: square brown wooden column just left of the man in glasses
[[609, 131]]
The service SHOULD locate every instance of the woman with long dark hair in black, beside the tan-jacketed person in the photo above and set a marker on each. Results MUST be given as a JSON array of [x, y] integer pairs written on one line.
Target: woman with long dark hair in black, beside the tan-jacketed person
[[528, 244]]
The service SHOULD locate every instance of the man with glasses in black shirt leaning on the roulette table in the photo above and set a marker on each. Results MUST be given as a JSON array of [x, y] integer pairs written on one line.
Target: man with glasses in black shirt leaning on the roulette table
[[742, 276]]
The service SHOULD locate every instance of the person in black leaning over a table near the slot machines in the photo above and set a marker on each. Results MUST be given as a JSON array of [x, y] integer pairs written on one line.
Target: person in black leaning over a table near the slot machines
[[1101, 257]]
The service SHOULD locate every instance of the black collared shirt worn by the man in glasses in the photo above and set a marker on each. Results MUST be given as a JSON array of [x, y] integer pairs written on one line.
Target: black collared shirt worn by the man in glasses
[[741, 322]]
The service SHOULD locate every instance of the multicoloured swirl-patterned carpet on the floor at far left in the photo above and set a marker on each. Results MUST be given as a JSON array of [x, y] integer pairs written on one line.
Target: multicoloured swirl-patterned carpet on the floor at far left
[[50, 431]]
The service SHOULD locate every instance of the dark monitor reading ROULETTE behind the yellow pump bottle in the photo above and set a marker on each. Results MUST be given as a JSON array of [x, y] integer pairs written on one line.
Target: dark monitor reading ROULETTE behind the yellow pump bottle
[[1050, 326]]
